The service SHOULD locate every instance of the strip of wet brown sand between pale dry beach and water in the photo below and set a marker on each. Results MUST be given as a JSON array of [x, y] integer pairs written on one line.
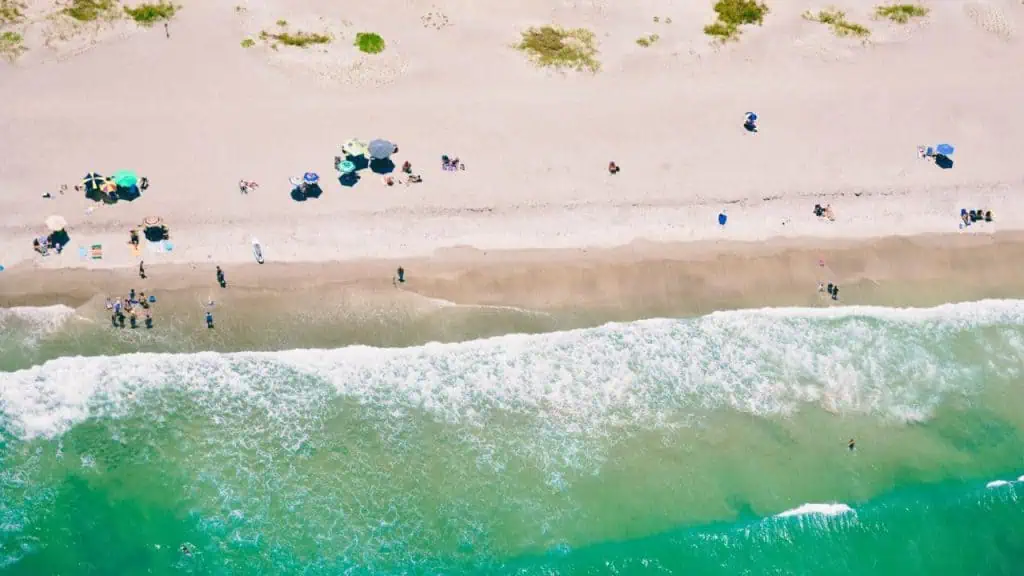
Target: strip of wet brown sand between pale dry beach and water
[[643, 280]]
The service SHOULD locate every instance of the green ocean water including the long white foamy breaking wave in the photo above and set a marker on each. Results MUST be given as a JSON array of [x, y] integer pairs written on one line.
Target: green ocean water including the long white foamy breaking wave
[[712, 445]]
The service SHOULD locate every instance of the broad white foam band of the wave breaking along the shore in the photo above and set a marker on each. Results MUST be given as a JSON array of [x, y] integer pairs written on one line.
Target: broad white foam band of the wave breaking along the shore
[[893, 363]]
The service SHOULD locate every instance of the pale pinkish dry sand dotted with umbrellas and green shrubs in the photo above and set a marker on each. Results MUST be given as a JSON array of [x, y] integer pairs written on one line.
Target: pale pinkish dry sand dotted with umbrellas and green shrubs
[[840, 122]]
